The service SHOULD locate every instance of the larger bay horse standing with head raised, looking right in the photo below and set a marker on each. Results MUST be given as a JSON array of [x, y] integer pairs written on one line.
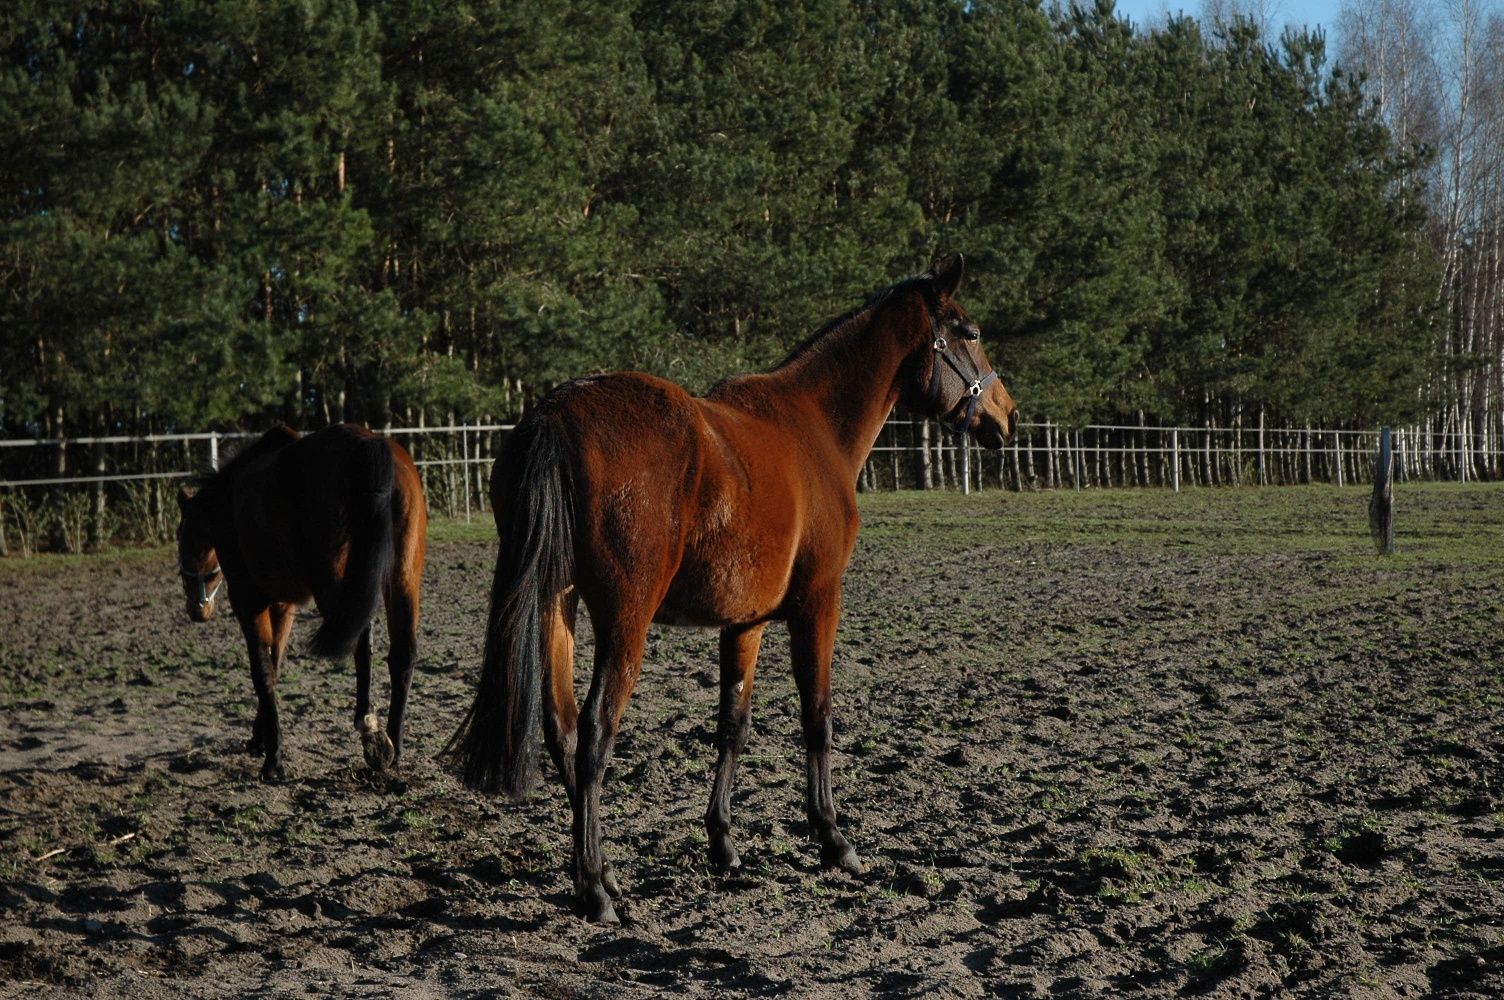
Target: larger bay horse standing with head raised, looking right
[[727, 512]]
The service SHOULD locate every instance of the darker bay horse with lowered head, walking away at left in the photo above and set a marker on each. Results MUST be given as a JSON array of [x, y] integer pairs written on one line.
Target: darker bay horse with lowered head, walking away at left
[[338, 518]]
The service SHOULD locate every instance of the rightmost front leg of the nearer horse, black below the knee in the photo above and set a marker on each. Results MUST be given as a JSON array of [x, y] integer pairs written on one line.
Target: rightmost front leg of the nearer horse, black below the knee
[[813, 640]]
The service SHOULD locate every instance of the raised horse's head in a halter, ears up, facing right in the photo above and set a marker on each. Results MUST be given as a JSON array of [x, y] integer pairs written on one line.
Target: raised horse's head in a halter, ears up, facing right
[[954, 381]]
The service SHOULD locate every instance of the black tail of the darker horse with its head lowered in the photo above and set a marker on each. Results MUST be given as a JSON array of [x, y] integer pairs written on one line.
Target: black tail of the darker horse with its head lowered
[[356, 599]]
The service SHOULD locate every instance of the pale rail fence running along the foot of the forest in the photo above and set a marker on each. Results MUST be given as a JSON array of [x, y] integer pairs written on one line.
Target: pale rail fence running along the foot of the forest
[[80, 492]]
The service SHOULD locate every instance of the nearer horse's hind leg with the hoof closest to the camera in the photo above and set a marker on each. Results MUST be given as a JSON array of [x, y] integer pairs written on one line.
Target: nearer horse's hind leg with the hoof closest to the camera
[[619, 659]]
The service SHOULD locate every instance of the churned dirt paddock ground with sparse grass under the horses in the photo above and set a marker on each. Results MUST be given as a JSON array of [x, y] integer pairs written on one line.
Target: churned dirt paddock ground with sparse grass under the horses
[[1088, 745]]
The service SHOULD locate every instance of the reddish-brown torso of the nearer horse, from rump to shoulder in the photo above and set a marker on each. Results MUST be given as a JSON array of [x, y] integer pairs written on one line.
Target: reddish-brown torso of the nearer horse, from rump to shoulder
[[691, 505]]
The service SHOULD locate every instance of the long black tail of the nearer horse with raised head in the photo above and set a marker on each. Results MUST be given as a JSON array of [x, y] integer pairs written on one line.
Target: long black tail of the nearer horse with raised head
[[497, 745]]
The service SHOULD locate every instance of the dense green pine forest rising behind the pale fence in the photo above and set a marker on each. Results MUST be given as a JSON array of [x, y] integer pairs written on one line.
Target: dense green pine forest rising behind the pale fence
[[222, 213]]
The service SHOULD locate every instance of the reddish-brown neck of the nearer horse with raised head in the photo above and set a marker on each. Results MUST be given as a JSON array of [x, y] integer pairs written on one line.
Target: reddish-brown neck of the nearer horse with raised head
[[852, 375]]
